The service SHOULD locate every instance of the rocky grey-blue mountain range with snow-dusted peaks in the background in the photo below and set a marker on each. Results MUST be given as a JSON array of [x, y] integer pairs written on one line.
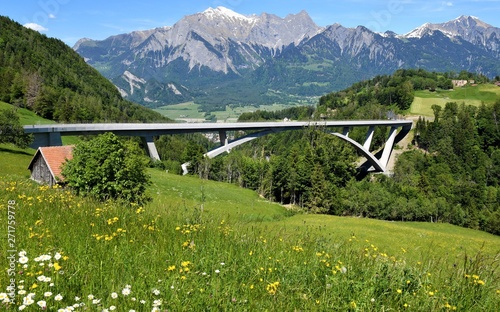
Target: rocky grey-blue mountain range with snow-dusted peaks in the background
[[221, 57]]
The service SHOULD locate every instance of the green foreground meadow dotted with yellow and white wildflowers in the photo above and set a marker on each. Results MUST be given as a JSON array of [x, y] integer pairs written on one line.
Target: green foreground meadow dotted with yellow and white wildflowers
[[202, 245]]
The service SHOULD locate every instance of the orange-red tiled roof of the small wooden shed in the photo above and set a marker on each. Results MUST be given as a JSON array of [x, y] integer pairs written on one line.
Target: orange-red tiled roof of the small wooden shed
[[54, 157]]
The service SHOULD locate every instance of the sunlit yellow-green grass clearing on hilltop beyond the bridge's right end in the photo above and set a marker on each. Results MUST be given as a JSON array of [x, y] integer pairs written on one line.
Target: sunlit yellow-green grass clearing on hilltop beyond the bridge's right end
[[470, 95]]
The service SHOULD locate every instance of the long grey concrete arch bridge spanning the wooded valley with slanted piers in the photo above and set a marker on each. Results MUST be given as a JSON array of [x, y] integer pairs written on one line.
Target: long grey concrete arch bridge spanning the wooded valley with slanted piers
[[50, 135]]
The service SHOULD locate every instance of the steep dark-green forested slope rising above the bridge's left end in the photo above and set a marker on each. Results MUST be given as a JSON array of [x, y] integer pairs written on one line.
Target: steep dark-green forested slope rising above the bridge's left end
[[46, 76]]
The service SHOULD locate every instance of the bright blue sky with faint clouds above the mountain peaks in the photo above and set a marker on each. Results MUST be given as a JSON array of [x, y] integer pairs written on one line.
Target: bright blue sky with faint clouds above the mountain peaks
[[70, 20]]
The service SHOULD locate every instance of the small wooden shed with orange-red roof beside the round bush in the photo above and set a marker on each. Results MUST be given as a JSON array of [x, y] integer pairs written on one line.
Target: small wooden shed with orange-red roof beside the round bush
[[46, 165]]
